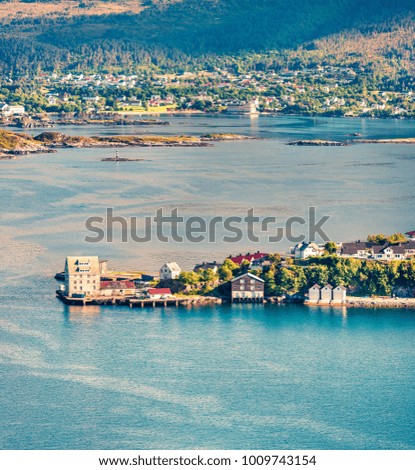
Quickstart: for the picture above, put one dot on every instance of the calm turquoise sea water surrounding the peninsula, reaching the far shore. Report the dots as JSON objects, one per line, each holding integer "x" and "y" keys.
{"x": 215, "y": 377}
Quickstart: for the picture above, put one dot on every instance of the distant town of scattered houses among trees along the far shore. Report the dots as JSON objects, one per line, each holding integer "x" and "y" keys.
{"x": 326, "y": 90}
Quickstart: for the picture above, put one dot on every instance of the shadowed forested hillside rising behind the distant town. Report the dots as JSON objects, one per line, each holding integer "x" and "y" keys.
{"x": 105, "y": 34}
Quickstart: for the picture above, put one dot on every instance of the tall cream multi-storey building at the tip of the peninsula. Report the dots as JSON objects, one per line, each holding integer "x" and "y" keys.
{"x": 82, "y": 275}
